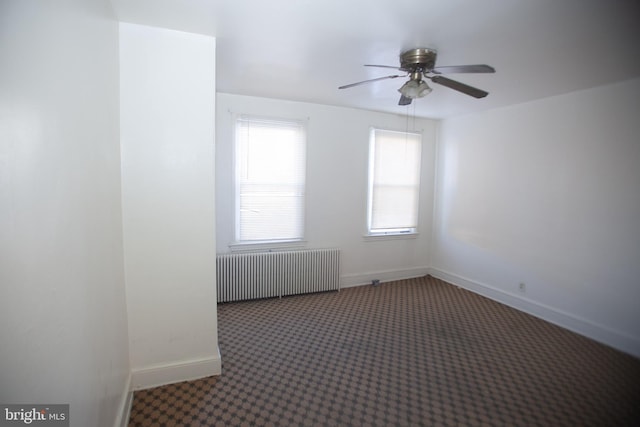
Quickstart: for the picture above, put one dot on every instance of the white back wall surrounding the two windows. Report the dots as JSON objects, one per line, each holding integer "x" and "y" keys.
{"x": 337, "y": 155}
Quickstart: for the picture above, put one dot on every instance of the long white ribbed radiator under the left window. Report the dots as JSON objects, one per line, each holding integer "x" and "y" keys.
{"x": 248, "y": 276}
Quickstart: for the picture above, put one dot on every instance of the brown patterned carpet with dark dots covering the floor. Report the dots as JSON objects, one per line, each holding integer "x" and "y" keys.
{"x": 406, "y": 353}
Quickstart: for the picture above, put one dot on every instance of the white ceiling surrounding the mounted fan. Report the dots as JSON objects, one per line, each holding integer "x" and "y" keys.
{"x": 303, "y": 50}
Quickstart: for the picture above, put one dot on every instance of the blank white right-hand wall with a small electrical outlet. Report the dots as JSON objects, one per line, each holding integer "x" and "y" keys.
{"x": 547, "y": 193}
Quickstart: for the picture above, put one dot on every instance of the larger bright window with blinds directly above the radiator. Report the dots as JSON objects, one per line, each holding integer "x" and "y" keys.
{"x": 270, "y": 179}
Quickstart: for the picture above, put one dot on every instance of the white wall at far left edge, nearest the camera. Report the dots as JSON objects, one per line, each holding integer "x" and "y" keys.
{"x": 63, "y": 320}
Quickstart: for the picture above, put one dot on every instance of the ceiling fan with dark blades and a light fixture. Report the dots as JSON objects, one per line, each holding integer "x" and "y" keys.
{"x": 420, "y": 63}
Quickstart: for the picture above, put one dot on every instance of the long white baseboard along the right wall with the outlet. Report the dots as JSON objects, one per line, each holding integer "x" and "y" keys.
{"x": 602, "y": 334}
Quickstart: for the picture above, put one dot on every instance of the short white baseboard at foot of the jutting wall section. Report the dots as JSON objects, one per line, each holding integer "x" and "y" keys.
{"x": 170, "y": 373}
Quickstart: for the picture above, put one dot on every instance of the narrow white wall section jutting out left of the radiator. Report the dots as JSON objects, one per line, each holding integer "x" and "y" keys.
{"x": 167, "y": 94}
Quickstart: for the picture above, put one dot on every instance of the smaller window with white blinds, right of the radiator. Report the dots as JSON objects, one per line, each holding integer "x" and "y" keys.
{"x": 394, "y": 182}
